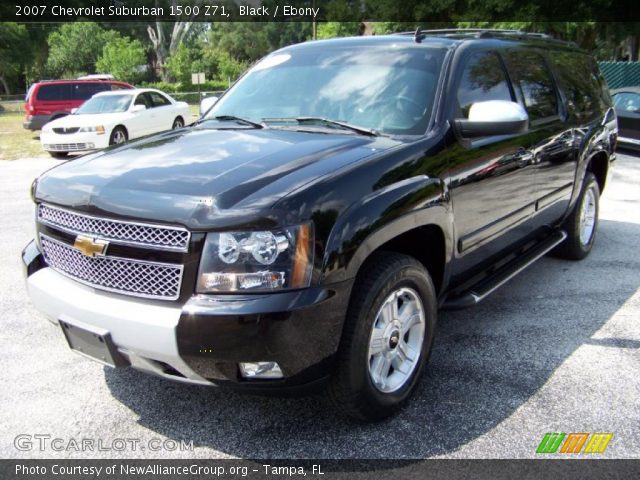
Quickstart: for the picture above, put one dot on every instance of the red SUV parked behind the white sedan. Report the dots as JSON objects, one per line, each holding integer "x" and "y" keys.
{"x": 50, "y": 99}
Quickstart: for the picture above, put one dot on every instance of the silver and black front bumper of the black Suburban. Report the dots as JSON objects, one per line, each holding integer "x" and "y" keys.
{"x": 203, "y": 340}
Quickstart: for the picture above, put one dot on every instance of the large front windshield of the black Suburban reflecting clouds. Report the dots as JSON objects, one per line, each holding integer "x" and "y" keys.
{"x": 386, "y": 88}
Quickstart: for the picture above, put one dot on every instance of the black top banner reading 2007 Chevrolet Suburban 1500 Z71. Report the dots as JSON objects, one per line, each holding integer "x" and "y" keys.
{"x": 428, "y": 12}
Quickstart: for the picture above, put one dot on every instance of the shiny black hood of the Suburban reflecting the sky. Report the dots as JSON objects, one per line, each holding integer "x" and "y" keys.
{"x": 198, "y": 176}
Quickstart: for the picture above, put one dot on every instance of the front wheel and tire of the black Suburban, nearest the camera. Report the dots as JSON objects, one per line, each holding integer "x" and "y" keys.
{"x": 370, "y": 343}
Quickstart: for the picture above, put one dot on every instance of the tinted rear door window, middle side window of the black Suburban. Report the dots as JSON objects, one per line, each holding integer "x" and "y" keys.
{"x": 535, "y": 82}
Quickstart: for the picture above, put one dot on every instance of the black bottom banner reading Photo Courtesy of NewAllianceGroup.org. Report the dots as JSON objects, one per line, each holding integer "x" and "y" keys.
{"x": 318, "y": 469}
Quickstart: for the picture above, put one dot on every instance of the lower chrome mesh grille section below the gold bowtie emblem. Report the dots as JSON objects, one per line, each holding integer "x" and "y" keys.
{"x": 121, "y": 275}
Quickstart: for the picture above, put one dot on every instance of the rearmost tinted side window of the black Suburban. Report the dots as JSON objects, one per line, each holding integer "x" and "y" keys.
{"x": 578, "y": 81}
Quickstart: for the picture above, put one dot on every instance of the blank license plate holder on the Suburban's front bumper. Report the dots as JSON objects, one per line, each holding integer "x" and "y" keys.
{"x": 94, "y": 343}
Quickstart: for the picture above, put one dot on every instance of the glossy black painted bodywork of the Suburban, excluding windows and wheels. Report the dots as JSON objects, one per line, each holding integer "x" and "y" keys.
{"x": 484, "y": 196}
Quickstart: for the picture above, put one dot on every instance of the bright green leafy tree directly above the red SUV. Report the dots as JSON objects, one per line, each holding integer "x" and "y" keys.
{"x": 75, "y": 47}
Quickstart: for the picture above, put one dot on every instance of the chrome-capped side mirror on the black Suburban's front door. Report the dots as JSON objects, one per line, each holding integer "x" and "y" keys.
{"x": 493, "y": 117}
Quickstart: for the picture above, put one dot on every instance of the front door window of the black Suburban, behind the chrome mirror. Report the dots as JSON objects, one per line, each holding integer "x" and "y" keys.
{"x": 483, "y": 79}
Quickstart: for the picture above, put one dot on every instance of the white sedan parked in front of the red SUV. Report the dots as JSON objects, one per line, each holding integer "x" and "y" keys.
{"x": 110, "y": 118}
